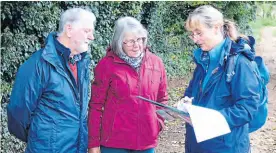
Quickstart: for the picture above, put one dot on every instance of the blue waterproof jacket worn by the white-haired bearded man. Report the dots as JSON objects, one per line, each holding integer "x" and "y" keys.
{"x": 47, "y": 110}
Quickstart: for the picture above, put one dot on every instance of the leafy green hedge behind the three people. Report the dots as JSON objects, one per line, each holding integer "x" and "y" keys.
{"x": 25, "y": 25}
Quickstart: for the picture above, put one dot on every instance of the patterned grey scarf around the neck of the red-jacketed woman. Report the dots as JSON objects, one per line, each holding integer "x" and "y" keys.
{"x": 135, "y": 62}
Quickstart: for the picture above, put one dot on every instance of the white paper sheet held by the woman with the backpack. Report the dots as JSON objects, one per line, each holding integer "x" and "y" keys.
{"x": 207, "y": 123}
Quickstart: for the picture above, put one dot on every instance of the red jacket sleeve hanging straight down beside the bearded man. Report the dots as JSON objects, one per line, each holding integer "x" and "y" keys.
{"x": 99, "y": 91}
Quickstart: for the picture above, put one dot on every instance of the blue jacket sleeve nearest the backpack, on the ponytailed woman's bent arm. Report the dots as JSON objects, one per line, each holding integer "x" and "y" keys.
{"x": 245, "y": 91}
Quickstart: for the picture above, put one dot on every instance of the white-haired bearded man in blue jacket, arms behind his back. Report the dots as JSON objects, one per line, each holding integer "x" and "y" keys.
{"x": 49, "y": 100}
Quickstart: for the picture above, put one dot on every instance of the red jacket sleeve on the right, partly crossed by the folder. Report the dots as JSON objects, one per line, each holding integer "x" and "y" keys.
{"x": 162, "y": 96}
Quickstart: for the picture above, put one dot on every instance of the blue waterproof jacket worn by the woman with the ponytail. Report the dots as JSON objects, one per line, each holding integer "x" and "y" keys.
{"x": 237, "y": 100}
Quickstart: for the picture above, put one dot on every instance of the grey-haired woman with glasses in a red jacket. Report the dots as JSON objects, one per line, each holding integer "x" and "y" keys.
{"x": 119, "y": 122}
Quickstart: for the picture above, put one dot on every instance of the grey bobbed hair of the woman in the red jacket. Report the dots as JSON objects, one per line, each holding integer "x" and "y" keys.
{"x": 124, "y": 25}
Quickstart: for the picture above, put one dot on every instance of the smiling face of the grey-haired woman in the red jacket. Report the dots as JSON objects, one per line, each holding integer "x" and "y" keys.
{"x": 133, "y": 44}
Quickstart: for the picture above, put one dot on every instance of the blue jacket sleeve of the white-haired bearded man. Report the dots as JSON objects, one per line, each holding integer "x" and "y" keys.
{"x": 25, "y": 95}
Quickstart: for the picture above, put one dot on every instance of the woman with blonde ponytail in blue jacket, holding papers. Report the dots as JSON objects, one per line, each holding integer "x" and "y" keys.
{"x": 236, "y": 100}
